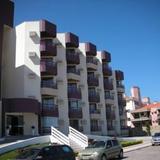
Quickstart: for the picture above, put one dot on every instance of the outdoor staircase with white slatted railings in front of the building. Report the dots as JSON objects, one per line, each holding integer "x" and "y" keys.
{"x": 75, "y": 139}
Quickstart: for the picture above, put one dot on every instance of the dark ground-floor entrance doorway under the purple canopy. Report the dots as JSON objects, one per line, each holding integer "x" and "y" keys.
{"x": 14, "y": 125}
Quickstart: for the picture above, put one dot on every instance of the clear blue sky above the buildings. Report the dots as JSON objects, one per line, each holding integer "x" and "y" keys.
{"x": 128, "y": 29}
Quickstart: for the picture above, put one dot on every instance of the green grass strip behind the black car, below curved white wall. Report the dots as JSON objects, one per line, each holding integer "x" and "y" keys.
{"x": 13, "y": 154}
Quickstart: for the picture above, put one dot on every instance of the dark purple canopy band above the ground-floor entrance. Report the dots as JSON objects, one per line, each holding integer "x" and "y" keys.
{"x": 24, "y": 105}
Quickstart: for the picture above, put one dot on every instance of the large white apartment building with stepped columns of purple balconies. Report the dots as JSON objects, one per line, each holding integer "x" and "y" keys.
{"x": 51, "y": 79}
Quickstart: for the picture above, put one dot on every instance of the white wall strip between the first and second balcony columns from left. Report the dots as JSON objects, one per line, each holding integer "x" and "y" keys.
{"x": 62, "y": 86}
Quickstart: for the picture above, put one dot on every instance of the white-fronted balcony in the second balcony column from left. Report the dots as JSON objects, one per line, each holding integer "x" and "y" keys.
{"x": 73, "y": 74}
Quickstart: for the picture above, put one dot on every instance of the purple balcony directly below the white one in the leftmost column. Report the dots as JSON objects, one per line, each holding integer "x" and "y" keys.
{"x": 50, "y": 110}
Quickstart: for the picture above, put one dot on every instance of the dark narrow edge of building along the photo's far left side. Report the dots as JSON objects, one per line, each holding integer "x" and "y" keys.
{"x": 6, "y": 25}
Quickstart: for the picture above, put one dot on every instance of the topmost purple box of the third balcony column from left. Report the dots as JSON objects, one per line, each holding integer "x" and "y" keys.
{"x": 90, "y": 49}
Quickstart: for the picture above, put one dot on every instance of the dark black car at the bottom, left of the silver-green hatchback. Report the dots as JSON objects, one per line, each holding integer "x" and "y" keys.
{"x": 52, "y": 152}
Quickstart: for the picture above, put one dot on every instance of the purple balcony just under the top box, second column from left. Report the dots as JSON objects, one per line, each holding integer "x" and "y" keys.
{"x": 73, "y": 58}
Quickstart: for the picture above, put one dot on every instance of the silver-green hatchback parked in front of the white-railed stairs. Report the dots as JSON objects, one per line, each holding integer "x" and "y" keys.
{"x": 102, "y": 150}
